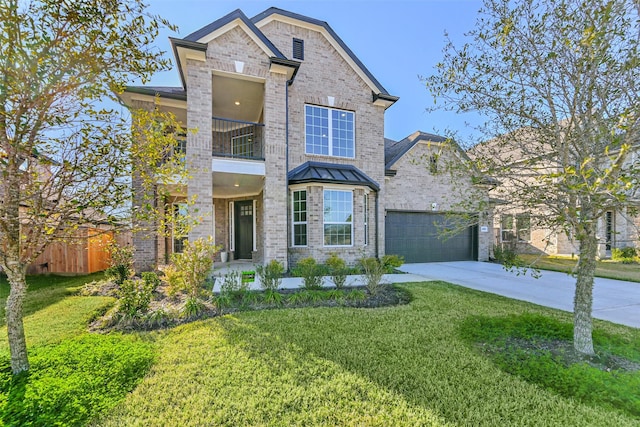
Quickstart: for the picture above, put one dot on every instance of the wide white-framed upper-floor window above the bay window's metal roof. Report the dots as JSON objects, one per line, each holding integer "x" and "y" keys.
{"x": 329, "y": 132}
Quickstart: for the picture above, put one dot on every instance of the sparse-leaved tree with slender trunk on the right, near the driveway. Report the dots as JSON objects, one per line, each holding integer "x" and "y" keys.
{"x": 558, "y": 81}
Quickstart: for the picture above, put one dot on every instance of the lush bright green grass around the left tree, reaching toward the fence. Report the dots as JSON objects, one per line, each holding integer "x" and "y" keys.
{"x": 74, "y": 375}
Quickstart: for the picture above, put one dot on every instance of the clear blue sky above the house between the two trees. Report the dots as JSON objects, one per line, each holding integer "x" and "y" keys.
{"x": 397, "y": 40}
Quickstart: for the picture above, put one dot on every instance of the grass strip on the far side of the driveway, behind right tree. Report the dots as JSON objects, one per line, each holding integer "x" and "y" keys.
{"x": 607, "y": 269}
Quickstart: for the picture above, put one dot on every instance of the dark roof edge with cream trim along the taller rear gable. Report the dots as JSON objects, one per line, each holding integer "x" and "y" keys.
{"x": 379, "y": 91}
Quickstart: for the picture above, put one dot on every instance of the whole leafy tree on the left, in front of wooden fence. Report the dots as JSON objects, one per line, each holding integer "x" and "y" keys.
{"x": 66, "y": 161}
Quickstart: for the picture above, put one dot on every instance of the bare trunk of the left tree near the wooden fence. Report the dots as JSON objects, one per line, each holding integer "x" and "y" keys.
{"x": 15, "y": 326}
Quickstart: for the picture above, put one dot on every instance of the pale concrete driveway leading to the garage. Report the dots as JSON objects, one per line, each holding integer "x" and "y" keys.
{"x": 613, "y": 300}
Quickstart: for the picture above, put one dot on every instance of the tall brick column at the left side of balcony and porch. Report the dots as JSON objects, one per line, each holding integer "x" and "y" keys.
{"x": 198, "y": 156}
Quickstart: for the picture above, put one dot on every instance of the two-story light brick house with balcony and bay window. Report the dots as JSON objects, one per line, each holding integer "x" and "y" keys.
{"x": 288, "y": 157}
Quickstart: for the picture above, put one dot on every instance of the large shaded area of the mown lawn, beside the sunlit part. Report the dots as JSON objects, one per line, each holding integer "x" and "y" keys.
{"x": 409, "y": 352}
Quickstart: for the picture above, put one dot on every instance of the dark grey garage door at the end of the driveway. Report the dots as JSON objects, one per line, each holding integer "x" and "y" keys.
{"x": 414, "y": 235}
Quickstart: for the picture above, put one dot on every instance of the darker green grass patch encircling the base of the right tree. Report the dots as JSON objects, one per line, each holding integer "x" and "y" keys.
{"x": 545, "y": 362}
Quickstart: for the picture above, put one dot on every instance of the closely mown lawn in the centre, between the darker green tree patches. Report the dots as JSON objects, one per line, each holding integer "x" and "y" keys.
{"x": 404, "y": 365}
